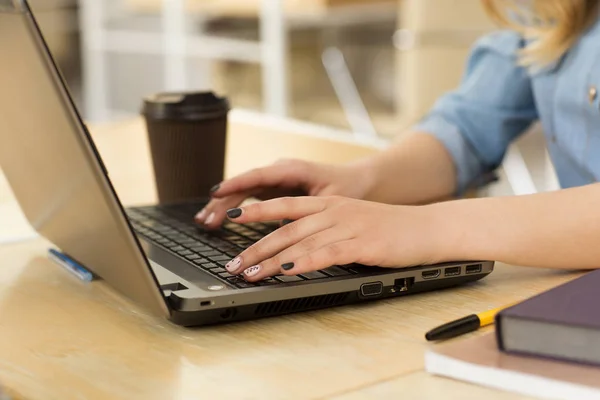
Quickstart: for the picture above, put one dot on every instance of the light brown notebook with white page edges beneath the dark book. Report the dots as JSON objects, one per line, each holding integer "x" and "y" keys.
{"x": 478, "y": 360}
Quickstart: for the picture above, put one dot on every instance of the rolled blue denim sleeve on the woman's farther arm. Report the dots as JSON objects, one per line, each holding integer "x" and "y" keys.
{"x": 493, "y": 105}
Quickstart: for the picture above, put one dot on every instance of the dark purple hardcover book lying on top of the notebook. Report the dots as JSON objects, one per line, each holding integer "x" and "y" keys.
{"x": 562, "y": 323}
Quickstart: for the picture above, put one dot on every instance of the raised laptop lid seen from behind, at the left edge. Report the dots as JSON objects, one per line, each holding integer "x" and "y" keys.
{"x": 53, "y": 168}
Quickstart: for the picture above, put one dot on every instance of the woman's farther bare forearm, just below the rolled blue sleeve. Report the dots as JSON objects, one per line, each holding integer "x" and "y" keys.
{"x": 415, "y": 170}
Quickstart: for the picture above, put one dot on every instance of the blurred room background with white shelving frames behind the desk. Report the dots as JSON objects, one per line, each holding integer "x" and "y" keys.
{"x": 367, "y": 66}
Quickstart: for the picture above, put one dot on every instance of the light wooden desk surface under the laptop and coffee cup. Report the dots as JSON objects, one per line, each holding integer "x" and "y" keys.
{"x": 63, "y": 339}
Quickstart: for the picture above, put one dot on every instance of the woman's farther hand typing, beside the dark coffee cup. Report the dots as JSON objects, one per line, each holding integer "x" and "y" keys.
{"x": 286, "y": 178}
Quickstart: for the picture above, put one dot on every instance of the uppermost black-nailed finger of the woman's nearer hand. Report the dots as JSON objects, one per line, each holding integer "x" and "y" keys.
{"x": 278, "y": 209}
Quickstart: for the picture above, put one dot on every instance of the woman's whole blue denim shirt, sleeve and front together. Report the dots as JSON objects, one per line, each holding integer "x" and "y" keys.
{"x": 498, "y": 100}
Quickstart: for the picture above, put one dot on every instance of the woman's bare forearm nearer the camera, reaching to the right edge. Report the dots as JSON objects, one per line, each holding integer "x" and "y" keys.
{"x": 556, "y": 230}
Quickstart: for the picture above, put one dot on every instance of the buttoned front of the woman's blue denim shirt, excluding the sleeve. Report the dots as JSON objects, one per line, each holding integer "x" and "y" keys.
{"x": 567, "y": 97}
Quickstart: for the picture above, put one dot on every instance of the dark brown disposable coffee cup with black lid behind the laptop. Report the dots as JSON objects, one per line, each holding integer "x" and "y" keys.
{"x": 187, "y": 134}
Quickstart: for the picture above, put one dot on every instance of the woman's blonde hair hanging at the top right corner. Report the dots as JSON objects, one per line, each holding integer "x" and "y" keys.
{"x": 550, "y": 26}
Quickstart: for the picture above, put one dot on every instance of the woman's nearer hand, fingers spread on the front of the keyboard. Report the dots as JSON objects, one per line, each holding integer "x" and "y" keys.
{"x": 335, "y": 231}
